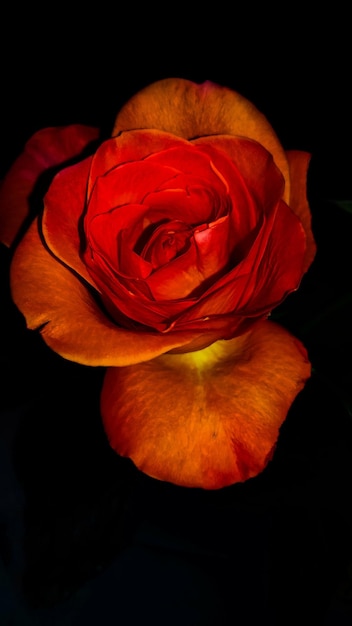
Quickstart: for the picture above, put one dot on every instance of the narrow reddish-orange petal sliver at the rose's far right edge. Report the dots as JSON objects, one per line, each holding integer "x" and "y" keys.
{"x": 298, "y": 164}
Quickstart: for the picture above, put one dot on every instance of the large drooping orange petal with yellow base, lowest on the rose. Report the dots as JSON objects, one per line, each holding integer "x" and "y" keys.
{"x": 209, "y": 418}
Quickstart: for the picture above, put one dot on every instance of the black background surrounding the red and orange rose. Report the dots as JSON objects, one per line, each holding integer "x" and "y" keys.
{"x": 85, "y": 537}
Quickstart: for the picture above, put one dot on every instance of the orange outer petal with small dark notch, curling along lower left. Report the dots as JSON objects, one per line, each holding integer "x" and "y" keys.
{"x": 54, "y": 300}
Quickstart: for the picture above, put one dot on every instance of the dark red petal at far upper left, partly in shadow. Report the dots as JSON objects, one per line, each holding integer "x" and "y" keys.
{"x": 47, "y": 148}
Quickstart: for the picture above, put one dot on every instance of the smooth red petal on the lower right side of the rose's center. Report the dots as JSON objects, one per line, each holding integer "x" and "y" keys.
{"x": 272, "y": 269}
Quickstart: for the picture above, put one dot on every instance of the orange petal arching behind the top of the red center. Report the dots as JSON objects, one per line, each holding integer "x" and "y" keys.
{"x": 191, "y": 110}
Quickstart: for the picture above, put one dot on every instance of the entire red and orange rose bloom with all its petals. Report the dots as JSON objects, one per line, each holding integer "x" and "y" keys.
{"x": 160, "y": 257}
